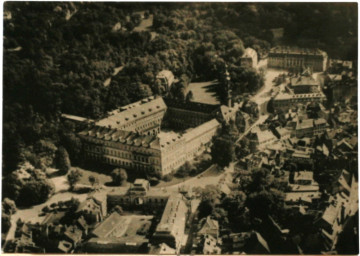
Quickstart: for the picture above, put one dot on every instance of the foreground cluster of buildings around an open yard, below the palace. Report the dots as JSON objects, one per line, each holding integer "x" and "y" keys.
{"x": 135, "y": 219}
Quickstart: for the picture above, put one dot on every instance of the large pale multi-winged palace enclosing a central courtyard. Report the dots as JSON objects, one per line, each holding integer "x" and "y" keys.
{"x": 131, "y": 138}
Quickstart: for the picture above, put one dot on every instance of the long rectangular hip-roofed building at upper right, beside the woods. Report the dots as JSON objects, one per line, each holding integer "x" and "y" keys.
{"x": 293, "y": 57}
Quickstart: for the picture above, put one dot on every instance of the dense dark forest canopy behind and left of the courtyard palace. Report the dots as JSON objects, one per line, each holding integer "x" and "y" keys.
{"x": 69, "y": 58}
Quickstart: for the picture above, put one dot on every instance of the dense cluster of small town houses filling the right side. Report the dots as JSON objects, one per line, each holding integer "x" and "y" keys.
{"x": 290, "y": 143}
